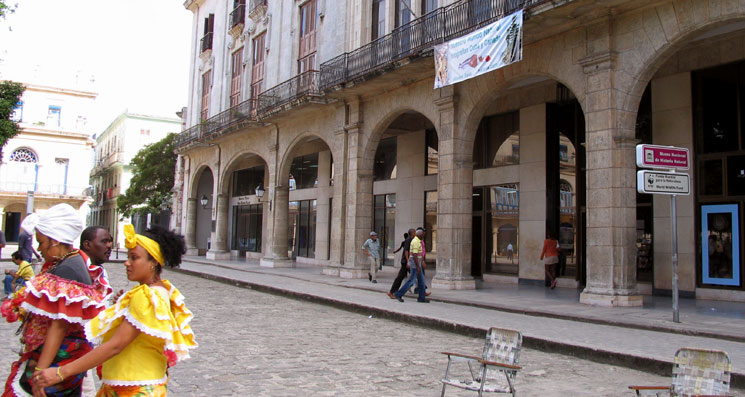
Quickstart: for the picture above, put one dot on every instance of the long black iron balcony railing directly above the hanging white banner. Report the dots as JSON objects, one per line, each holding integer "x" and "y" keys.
{"x": 417, "y": 38}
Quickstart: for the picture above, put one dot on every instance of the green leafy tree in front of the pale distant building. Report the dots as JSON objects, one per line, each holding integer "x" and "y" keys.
{"x": 152, "y": 179}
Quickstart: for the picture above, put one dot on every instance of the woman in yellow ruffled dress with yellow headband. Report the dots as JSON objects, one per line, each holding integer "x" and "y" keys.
{"x": 145, "y": 332}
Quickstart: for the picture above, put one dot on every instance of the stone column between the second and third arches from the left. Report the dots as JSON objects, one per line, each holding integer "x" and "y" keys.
{"x": 277, "y": 255}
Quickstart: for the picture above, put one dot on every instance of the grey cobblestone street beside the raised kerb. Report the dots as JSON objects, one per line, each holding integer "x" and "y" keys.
{"x": 257, "y": 344}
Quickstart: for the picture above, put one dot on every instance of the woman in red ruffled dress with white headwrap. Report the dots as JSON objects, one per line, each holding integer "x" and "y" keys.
{"x": 54, "y": 305}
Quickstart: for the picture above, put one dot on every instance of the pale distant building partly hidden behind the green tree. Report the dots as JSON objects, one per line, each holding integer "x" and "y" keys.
{"x": 111, "y": 172}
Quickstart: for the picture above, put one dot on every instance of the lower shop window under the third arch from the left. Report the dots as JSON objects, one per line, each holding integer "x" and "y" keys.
{"x": 302, "y": 229}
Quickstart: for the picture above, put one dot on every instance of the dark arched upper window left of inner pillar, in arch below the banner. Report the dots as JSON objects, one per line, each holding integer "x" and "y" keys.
{"x": 497, "y": 141}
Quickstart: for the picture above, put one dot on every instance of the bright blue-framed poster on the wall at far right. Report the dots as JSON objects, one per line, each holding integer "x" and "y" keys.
{"x": 720, "y": 244}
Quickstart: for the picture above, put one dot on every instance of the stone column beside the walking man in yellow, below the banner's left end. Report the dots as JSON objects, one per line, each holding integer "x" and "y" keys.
{"x": 454, "y": 200}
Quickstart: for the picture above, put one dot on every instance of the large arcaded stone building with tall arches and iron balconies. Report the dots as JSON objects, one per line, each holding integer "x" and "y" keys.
{"x": 310, "y": 124}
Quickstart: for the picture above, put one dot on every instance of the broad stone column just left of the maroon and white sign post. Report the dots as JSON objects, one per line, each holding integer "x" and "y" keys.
{"x": 611, "y": 188}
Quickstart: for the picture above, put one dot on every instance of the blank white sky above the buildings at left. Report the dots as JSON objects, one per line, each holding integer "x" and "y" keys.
{"x": 135, "y": 52}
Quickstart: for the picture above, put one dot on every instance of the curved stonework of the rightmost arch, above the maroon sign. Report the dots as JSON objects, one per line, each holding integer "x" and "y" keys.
{"x": 658, "y": 54}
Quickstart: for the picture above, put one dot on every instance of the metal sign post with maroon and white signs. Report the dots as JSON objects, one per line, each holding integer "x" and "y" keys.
{"x": 654, "y": 182}
